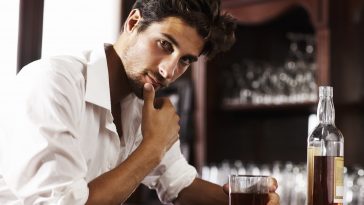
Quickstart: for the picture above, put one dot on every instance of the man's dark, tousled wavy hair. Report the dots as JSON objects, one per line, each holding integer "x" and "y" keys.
{"x": 204, "y": 15}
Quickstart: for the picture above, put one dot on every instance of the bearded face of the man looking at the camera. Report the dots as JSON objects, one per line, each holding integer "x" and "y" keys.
{"x": 161, "y": 53}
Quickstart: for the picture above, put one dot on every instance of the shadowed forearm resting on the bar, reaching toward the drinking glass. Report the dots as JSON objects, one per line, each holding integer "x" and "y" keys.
{"x": 201, "y": 192}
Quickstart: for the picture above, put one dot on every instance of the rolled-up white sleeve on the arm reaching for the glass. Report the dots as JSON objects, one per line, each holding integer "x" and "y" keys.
{"x": 171, "y": 176}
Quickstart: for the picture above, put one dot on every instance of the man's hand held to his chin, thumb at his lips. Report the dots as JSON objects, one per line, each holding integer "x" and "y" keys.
{"x": 159, "y": 125}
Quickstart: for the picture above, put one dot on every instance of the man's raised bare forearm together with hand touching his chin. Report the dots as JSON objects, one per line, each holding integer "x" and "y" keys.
{"x": 160, "y": 131}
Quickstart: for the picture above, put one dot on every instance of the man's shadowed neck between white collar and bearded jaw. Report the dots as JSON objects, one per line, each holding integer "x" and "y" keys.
{"x": 118, "y": 80}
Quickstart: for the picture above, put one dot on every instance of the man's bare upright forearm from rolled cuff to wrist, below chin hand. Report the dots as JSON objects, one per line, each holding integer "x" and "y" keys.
{"x": 115, "y": 186}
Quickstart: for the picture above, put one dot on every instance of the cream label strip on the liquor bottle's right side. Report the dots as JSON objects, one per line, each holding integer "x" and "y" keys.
{"x": 339, "y": 180}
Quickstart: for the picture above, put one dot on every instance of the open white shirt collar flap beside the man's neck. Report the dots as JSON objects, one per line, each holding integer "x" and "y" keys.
{"x": 97, "y": 83}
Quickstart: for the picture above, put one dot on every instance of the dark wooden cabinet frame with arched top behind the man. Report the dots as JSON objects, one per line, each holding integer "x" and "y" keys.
{"x": 261, "y": 35}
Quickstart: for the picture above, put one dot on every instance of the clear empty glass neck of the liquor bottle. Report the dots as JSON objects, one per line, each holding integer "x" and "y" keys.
{"x": 326, "y": 110}
